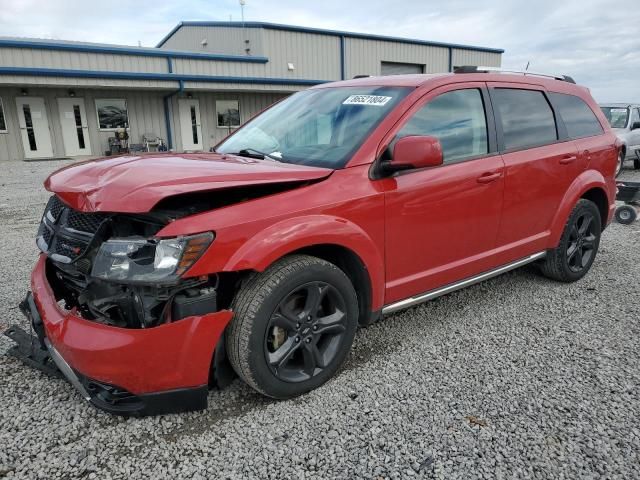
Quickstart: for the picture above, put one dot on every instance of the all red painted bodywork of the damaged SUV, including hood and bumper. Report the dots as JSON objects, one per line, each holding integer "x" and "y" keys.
{"x": 415, "y": 231}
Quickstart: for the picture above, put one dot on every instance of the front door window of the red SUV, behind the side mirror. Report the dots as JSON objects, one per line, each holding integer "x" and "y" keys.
{"x": 457, "y": 119}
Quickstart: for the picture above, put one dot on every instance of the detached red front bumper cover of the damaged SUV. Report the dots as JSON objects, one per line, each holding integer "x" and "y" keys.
{"x": 171, "y": 356}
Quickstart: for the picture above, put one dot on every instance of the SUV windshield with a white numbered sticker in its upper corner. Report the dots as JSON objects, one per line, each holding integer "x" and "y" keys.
{"x": 318, "y": 127}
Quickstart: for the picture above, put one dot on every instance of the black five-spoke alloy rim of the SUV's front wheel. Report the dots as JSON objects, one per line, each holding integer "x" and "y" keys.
{"x": 305, "y": 333}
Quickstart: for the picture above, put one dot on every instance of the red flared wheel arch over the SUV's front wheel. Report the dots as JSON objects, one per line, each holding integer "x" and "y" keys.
{"x": 292, "y": 234}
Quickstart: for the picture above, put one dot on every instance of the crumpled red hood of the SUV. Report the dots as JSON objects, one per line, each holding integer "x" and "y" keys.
{"x": 134, "y": 184}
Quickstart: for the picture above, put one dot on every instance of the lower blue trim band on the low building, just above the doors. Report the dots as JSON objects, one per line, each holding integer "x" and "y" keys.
{"x": 174, "y": 77}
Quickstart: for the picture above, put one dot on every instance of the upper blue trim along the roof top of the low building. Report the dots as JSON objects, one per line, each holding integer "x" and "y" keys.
{"x": 115, "y": 49}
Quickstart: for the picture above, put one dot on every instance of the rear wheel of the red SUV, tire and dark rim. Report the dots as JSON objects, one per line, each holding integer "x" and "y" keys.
{"x": 574, "y": 255}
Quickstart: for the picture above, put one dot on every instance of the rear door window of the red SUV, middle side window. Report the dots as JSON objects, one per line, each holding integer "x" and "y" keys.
{"x": 526, "y": 118}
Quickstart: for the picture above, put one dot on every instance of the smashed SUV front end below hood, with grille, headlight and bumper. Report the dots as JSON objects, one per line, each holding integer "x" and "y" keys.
{"x": 108, "y": 297}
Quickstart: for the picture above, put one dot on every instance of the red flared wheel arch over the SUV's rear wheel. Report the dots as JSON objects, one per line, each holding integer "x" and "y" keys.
{"x": 583, "y": 183}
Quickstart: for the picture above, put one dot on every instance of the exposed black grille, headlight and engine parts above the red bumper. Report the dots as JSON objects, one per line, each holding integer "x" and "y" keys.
{"x": 105, "y": 265}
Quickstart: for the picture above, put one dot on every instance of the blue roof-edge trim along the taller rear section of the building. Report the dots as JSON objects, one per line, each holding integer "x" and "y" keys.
{"x": 293, "y": 28}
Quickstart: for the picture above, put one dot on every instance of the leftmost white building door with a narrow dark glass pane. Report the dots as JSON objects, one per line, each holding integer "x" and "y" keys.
{"x": 34, "y": 127}
